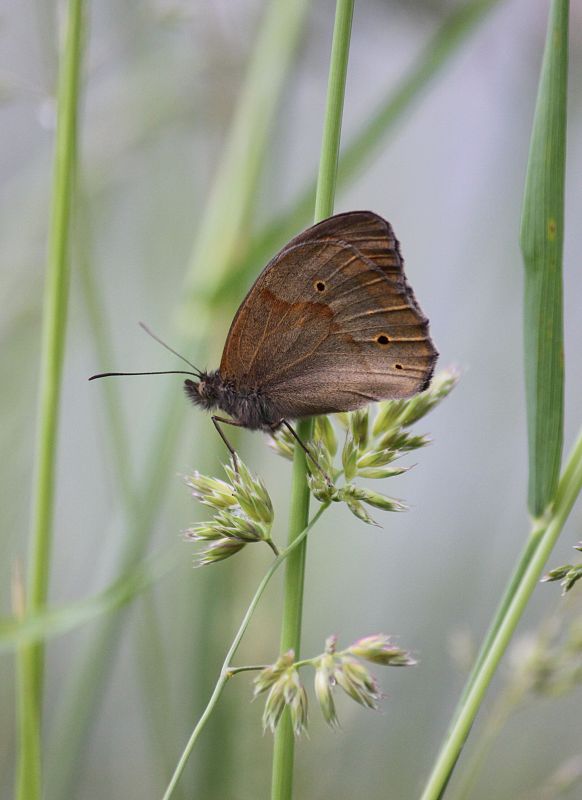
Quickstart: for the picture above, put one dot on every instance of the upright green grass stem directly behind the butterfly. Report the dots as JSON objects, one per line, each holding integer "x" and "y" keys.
{"x": 284, "y": 744}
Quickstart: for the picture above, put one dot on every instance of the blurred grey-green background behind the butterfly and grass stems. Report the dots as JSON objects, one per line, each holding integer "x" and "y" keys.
{"x": 162, "y": 82}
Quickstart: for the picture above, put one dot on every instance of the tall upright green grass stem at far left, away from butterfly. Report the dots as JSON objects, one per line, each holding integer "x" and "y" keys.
{"x": 31, "y": 657}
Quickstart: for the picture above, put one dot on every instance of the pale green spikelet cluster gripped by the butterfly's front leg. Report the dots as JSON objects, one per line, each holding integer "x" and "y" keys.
{"x": 243, "y": 513}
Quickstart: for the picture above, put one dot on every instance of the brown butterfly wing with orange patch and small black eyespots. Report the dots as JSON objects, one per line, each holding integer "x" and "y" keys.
{"x": 331, "y": 323}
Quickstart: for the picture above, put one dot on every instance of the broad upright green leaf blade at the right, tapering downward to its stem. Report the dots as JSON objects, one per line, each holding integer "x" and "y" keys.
{"x": 542, "y": 241}
